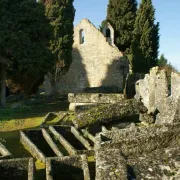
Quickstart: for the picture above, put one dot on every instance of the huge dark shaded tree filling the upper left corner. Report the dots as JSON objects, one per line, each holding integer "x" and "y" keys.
{"x": 24, "y": 38}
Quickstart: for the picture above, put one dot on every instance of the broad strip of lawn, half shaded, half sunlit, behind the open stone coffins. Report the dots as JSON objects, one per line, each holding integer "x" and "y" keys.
{"x": 28, "y": 116}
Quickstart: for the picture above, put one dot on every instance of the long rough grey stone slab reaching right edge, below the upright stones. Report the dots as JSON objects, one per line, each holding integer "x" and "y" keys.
{"x": 140, "y": 140}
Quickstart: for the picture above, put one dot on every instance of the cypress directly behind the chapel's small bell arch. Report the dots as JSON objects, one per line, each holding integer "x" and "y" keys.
{"x": 121, "y": 15}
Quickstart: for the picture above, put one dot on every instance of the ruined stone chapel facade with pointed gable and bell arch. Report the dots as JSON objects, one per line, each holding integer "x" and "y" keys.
{"x": 97, "y": 62}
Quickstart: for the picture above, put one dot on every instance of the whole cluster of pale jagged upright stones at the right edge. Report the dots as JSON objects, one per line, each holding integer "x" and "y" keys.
{"x": 153, "y": 91}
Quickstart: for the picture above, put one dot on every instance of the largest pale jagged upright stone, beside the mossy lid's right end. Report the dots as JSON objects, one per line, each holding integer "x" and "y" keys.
{"x": 153, "y": 90}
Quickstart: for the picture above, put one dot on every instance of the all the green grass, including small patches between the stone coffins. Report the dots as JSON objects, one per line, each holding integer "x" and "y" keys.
{"x": 26, "y": 117}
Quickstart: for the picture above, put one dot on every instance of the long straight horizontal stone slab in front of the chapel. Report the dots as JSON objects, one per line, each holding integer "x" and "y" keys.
{"x": 95, "y": 98}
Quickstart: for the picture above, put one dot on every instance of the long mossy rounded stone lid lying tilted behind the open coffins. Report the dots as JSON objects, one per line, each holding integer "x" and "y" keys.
{"x": 110, "y": 112}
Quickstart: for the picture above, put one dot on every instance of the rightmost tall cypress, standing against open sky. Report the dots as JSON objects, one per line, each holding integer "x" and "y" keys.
{"x": 145, "y": 38}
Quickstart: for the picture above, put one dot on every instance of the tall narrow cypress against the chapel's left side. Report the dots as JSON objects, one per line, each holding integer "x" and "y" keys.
{"x": 61, "y": 16}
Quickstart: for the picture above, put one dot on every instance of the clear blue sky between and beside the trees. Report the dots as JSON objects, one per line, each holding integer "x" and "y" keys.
{"x": 167, "y": 13}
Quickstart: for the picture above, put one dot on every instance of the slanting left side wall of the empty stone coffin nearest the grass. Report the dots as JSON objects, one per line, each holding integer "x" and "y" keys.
{"x": 32, "y": 148}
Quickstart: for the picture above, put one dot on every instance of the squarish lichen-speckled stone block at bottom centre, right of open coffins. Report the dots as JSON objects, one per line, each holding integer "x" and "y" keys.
{"x": 110, "y": 165}
